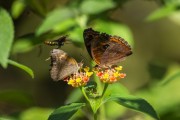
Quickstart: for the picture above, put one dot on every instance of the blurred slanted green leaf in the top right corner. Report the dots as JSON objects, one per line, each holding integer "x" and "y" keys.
{"x": 161, "y": 13}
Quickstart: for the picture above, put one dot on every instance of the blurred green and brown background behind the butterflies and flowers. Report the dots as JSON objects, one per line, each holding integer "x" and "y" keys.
{"x": 151, "y": 27}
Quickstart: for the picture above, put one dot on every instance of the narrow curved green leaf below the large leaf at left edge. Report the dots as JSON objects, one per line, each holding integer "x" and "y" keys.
{"x": 23, "y": 67}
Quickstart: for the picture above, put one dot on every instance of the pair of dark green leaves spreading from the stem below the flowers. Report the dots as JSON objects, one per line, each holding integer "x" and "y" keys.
{"x": 129, "y": 101}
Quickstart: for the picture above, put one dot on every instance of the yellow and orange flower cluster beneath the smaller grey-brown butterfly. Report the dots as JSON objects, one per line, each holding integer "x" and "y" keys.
{"x": 80, "y": 78}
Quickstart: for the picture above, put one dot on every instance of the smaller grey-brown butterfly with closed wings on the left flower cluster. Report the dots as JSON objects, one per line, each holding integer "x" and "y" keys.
{"x": 62, "y": 65}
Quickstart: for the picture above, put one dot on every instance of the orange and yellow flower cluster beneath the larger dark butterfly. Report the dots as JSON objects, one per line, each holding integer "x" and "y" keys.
{"x": 109, "y": 75}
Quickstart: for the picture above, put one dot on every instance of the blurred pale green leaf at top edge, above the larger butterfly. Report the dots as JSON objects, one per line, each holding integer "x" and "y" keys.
{"x": 96, "y": 6}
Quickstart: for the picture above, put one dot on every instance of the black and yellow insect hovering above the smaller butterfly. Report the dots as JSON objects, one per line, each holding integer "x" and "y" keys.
{"x": 59, "y": 42}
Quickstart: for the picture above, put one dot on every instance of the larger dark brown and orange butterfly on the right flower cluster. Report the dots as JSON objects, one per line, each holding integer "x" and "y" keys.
{"x": 106, "y": 50}
